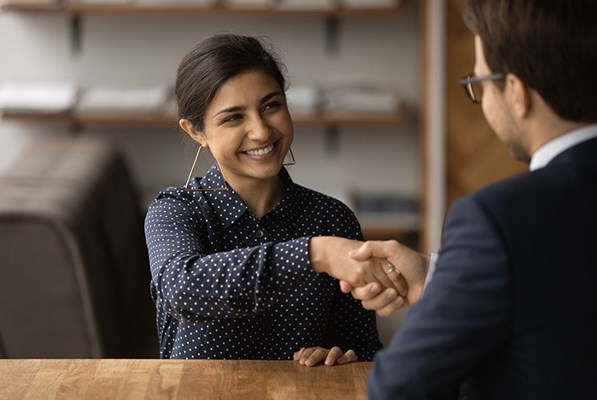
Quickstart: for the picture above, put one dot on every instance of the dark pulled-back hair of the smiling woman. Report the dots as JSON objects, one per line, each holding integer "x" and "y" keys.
{"x": 215, "y": 60}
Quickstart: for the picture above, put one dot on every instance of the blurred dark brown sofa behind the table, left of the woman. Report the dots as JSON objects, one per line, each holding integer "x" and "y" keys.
{"x": 74, "y": 274}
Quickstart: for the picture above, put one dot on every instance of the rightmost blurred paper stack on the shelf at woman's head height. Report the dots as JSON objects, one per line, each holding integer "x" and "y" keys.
{"x": 360, "y": 99}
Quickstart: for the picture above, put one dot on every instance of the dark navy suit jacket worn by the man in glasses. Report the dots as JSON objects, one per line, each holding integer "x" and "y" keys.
{"x": 511, "y": 312}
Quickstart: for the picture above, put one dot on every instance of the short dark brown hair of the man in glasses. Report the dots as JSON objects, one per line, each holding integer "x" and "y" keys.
{"x": 551, "y": 45}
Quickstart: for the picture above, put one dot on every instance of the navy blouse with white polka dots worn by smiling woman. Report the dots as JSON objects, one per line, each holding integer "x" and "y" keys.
{"x": 228, "y": 285}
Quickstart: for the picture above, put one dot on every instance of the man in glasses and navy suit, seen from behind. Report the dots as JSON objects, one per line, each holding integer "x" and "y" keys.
{"x": 511, "y": 309}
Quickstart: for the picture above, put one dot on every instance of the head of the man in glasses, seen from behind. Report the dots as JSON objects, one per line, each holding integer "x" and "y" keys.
{"x": 547, "y": 52}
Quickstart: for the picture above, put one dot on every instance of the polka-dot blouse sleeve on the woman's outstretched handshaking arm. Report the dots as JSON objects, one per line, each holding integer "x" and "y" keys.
{"x": 196, "y": 286}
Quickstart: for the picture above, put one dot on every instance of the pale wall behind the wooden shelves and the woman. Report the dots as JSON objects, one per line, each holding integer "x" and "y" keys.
{"x": 144, "y": 50}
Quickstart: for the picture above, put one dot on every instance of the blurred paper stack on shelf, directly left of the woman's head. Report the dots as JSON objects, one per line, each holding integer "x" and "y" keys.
{"x": 119, "y": 100}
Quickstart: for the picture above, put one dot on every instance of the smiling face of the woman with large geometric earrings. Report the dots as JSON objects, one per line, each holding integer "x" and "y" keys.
{"x": 248, "y": 128}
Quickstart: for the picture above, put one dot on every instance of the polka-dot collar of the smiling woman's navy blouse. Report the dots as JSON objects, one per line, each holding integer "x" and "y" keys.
{"x": 226, "y": 204}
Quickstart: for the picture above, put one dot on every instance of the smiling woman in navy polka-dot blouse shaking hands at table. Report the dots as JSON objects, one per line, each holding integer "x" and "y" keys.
{"x": 235, "y": 273}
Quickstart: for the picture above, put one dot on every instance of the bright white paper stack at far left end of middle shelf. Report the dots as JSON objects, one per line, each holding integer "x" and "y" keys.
{"x": 37, "y": 97}
